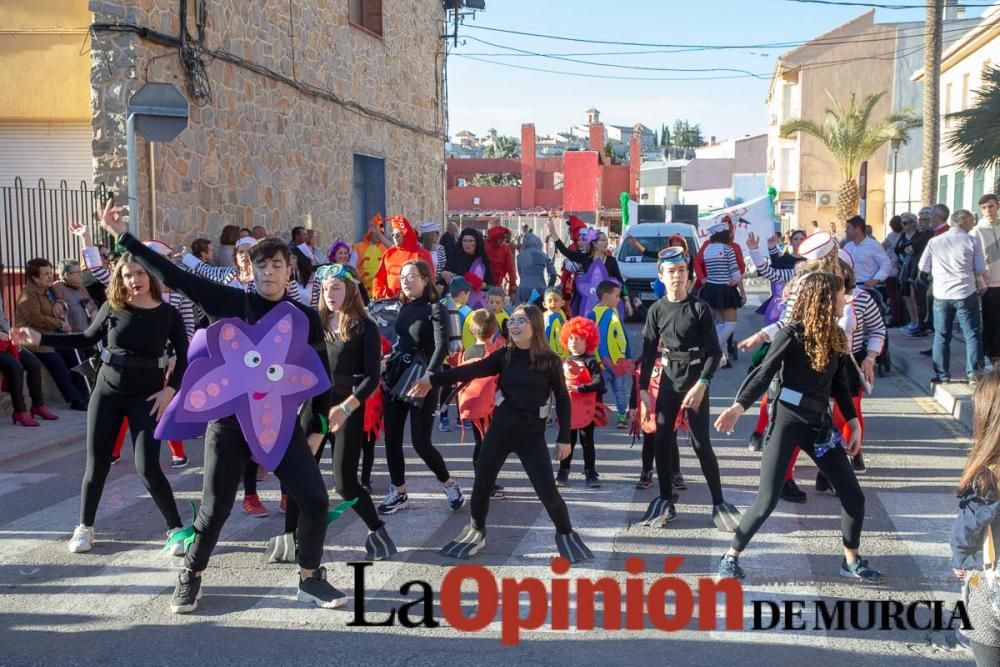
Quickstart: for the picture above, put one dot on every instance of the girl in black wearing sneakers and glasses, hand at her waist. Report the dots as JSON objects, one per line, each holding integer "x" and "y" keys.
{"x": 422, "y": 329}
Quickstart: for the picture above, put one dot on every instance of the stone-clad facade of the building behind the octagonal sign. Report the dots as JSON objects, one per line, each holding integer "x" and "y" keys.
{"x": 262, "y": 151}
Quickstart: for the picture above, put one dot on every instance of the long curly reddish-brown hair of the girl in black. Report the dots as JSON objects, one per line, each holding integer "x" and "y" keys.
{"x": 816, "y": 308}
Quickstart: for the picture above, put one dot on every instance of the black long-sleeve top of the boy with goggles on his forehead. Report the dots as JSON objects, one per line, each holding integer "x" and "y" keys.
{"x": 679, "y": 326}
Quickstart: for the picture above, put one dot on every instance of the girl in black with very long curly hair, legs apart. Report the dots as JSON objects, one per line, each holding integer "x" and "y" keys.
{"x": 809, "y": 357}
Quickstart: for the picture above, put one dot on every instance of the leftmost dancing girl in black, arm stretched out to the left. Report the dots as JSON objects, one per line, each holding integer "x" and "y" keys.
{"x": 137, "y": 325}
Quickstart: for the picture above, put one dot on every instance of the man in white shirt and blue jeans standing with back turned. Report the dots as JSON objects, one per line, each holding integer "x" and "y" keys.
{"x": 955, "y": 262}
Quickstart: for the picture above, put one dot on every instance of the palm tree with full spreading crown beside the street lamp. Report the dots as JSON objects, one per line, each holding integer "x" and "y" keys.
{"x": 851, "y": 137}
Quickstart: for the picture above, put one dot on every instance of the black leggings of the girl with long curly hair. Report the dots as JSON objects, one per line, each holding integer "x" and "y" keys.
{"x": 790, "y": 429}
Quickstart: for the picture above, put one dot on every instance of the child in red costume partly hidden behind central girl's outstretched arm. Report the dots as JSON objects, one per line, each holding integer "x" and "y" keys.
{"x": 477, "y": 398}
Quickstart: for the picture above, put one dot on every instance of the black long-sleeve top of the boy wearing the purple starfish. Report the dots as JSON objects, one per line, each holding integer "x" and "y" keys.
{"x": 220, "y": 301}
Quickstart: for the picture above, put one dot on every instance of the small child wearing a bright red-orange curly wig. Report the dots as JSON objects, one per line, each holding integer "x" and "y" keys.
{"x": 585, "y": 383}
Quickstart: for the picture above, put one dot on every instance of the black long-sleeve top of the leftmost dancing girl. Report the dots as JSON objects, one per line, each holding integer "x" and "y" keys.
{"x": 134, "y": 332}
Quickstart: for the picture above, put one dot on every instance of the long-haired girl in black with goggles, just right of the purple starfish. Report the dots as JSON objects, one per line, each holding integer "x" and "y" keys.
{"x": 353, "y": 349}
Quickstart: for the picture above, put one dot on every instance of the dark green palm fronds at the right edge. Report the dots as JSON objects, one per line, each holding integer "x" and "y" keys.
{"x": 976, "y": 137}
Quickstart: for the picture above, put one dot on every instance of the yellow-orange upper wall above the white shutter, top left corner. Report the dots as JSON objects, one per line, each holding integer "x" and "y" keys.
{"x": 43, "y": 76}
